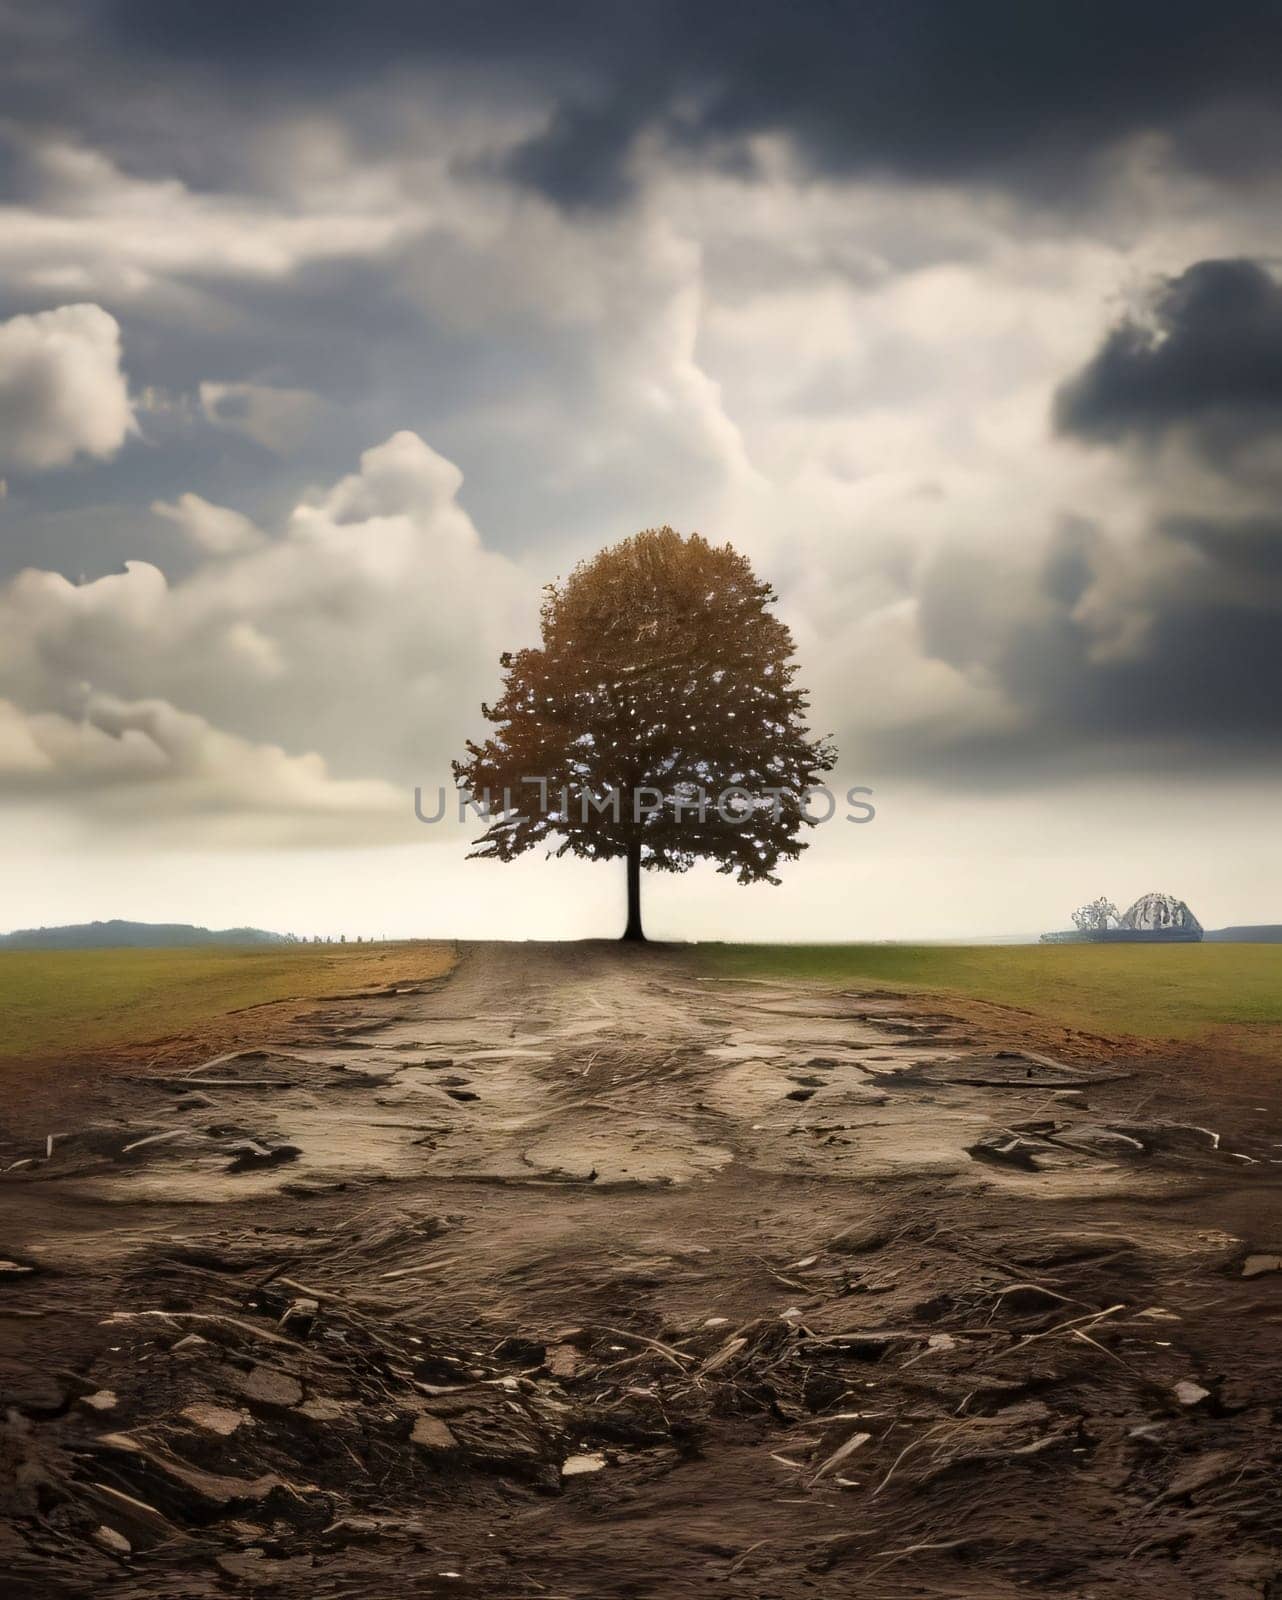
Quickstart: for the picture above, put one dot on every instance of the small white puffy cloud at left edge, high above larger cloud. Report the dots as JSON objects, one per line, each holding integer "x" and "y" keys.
{"x": 63, "y": 393}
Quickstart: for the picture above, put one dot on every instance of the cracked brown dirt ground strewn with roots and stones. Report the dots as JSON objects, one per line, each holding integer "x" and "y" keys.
{"x": 580, "y": 1274}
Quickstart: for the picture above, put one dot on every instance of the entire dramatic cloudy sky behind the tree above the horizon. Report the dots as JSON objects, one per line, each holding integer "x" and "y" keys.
{"x": 329, "y": 334}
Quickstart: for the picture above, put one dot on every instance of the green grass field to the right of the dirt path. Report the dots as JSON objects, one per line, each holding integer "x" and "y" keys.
{"x": 1176, "y": 991}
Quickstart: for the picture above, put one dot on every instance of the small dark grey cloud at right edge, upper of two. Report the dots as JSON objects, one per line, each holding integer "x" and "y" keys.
{"x": 1209, "y": 361}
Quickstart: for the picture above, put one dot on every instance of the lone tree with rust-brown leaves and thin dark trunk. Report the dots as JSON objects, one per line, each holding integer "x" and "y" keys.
{"x": 657, "y": 722}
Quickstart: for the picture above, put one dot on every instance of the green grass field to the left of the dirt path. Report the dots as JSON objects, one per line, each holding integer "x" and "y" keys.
{"x": 73, "y": 1002}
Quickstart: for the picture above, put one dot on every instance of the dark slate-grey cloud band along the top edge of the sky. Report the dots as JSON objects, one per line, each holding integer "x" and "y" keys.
{"x": 996, "y": 89}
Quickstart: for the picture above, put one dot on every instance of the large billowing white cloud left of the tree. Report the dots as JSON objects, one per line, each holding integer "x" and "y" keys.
{"x": 289, "y": 678}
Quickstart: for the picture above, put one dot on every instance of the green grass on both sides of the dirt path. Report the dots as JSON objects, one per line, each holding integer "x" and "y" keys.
{"x": 74, "y": 1002}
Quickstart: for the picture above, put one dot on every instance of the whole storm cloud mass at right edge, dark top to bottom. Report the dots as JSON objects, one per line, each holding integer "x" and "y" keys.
{"x": 1153, "y": 631}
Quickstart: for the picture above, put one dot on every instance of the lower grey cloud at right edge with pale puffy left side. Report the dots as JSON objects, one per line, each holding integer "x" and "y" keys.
{"x": 1182, "y": 668}
